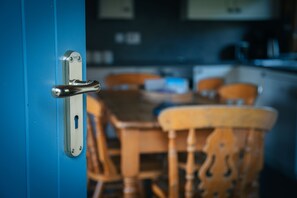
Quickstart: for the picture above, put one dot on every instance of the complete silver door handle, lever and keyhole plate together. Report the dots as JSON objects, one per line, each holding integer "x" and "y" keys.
{"x": 72, "y": 91}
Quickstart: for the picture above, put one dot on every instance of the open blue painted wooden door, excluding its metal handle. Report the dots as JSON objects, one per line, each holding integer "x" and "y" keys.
{"x": 34, "y": 37}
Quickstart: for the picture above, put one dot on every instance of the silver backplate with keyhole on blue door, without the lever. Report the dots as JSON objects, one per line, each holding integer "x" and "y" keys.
{"x": 72, "y": 65}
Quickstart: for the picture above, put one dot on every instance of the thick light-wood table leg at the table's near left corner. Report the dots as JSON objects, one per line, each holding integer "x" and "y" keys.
{"x": 130, "y": 161}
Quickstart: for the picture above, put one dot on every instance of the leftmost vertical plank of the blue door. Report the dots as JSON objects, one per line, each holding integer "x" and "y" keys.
{"x": 13, "y": 136}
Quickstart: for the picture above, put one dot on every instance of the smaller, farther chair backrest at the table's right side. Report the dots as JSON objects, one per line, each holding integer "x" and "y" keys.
{"x": 212, "y": 83}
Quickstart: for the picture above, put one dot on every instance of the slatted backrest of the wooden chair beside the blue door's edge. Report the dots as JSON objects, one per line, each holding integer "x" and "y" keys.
{"x": 99, "y": 161}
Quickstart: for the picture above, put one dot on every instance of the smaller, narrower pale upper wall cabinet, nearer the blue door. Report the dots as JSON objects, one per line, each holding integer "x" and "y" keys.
{"x": 115, "y": 9}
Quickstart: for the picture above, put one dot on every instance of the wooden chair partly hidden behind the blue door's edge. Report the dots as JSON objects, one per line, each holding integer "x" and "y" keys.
{"x": 102, "y": 168}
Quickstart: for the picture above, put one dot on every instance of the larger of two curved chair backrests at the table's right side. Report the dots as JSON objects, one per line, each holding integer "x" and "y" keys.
{"x": 238, "y": 93}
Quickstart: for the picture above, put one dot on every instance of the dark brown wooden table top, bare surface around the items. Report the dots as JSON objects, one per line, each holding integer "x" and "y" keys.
{"x": 133, "y": 109}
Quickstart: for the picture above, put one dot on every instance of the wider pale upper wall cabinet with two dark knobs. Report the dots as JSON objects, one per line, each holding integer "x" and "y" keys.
{"x": 230, "y": 9}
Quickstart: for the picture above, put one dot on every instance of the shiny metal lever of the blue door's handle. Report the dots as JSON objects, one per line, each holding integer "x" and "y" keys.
{"x": 75, "y": 87}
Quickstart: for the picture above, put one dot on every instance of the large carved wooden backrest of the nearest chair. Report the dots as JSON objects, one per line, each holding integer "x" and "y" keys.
{"x": 234, "y": 147}
